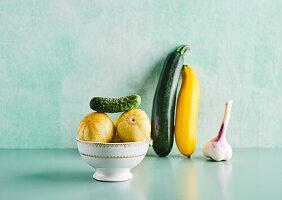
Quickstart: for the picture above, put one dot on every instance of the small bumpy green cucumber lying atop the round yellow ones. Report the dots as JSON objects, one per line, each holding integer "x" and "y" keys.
{"x": 115, "y": 105}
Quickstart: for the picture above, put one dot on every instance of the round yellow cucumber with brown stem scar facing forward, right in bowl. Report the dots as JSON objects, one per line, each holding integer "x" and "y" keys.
{"x": 134, "y": 125}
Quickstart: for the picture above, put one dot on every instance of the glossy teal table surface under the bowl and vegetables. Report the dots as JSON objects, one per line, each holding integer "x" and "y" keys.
{"x": 62, "y": 174}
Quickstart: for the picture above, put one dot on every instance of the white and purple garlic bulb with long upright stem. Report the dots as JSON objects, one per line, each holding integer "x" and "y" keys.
{"x": 218, "y": 149}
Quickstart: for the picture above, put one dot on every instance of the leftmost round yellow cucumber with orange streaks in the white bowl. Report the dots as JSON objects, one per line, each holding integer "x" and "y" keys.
{"x": 96, "y": 127}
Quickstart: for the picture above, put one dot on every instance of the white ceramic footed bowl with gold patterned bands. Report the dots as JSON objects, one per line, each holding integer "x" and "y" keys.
{"x": 113, "y": 161}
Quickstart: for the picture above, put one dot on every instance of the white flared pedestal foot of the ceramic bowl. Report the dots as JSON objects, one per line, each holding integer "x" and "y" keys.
{"x": 112, "y": 174}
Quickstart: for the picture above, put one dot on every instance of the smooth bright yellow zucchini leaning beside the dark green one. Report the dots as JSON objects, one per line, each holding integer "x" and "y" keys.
{"x": 187, "y": 112}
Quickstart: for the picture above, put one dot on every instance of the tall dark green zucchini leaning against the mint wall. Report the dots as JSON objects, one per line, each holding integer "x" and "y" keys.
{"x": 164, "y": 102}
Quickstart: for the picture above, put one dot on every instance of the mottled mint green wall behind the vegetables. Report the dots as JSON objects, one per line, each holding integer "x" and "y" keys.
{"x": 56, "y": 55}
